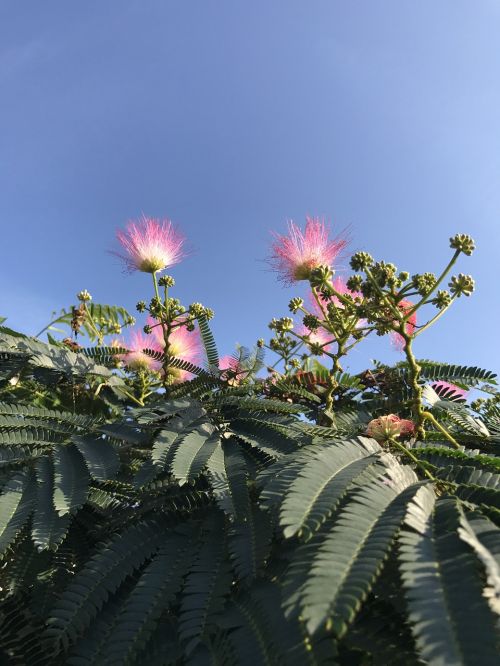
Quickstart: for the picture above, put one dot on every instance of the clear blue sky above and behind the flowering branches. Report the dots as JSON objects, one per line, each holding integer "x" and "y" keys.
{"x": 231, "y": 117}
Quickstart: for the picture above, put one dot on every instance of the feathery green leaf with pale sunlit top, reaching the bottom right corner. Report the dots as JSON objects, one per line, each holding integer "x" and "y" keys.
{"x": 450, "y": 618}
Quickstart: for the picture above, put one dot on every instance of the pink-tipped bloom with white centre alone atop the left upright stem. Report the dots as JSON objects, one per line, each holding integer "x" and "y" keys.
{"x": 150, "y": 245}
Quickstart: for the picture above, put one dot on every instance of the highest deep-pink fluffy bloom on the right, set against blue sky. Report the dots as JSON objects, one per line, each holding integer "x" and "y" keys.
{"x": 295, "y": 255}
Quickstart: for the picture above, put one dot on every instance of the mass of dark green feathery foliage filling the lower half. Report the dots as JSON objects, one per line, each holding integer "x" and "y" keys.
{"x": 221, "y": 524}
